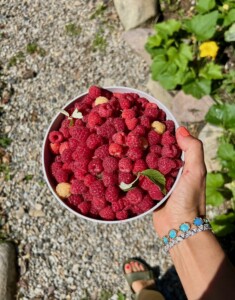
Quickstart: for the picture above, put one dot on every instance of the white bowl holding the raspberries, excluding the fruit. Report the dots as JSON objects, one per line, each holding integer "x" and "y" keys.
{"x": 55, "y": 125}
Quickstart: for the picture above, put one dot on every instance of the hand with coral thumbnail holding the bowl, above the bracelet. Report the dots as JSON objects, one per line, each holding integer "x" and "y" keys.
{"x": 188, "y": 198}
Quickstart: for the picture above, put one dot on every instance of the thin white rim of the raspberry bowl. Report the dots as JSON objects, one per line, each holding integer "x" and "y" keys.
{"x": 112, "y": 89}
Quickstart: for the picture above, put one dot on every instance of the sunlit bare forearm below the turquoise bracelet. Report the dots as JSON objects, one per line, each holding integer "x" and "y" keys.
{"x": 203, "y": 268}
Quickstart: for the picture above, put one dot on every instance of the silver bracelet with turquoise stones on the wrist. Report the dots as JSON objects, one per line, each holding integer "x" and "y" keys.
{"x": 201, "y": 224}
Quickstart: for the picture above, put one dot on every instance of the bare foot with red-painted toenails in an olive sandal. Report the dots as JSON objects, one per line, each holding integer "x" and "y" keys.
{"x": 138, "y": 285}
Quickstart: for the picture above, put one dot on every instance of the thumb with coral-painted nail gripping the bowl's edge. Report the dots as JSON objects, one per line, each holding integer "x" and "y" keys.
{"x": 193, "y": 150}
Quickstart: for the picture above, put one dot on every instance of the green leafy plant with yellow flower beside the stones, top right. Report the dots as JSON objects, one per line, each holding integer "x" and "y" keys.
{"x": 189, "y": 53}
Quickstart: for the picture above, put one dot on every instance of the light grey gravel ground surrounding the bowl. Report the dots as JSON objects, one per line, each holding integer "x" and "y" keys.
{"x": 61, "y": 256}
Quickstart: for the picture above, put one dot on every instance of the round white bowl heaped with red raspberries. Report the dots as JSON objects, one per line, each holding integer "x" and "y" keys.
{"x": 110, "y": 155}
